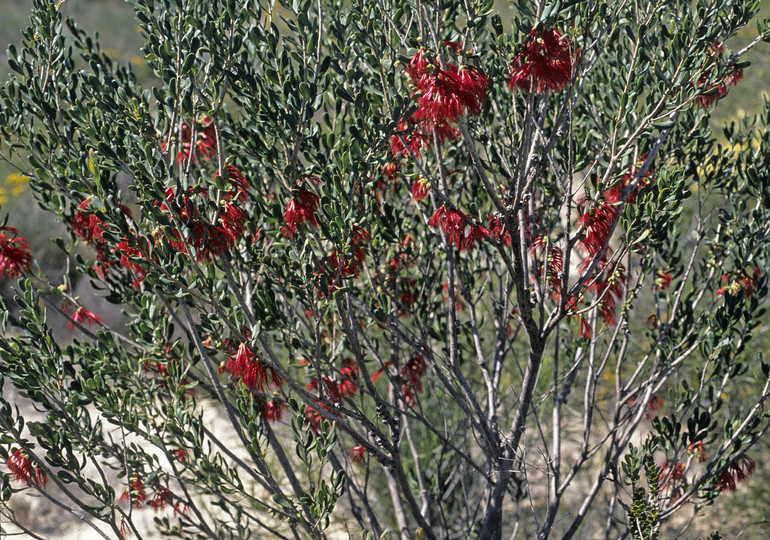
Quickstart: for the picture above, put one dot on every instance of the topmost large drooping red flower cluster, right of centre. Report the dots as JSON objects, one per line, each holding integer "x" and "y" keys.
{"x": 545, "y": 63}
